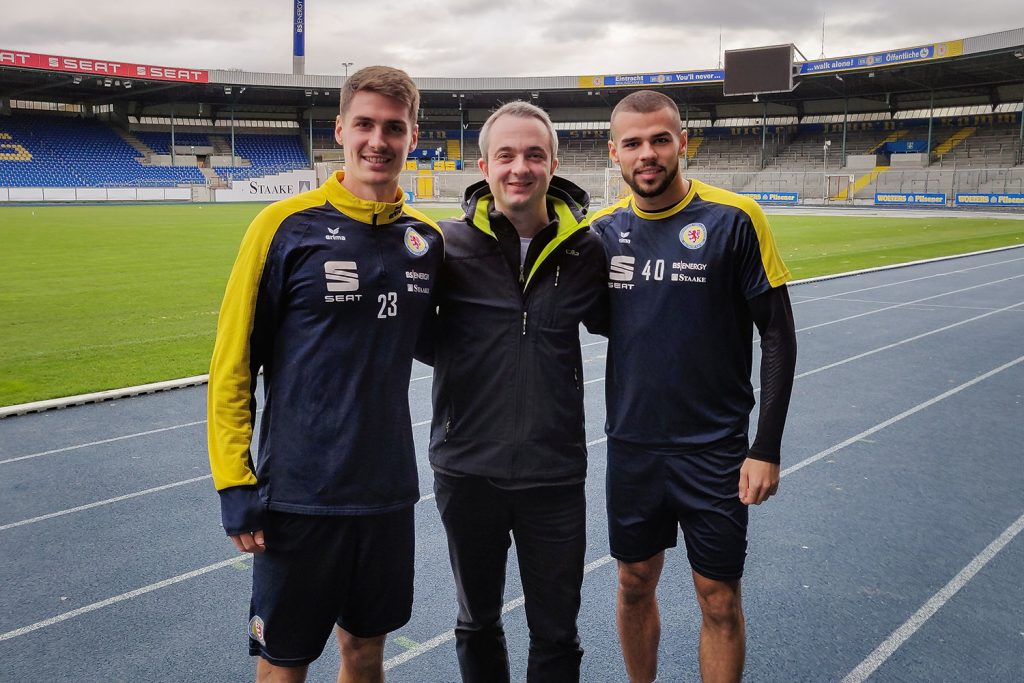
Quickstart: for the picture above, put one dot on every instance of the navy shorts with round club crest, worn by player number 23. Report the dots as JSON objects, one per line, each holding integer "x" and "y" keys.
{"x": 356, "y": 572}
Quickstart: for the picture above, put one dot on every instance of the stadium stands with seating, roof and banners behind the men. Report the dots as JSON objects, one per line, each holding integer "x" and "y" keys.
{"x": 945, "y": 119}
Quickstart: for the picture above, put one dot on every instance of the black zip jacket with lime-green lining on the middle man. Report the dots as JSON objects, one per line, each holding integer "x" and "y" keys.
{"x": 508, "y": 373}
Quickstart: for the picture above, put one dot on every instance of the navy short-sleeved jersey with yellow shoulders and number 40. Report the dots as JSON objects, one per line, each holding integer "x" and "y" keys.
{"x": 681, "y": 334}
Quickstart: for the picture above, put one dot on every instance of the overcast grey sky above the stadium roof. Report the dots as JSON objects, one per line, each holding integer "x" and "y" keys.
{"x": 439, "y": 38}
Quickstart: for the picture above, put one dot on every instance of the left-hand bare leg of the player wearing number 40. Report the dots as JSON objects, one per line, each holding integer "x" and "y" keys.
{"x": 638, "y": 618}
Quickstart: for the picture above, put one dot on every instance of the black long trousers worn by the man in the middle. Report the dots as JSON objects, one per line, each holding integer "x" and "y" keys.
{"x": 549, "y": 527}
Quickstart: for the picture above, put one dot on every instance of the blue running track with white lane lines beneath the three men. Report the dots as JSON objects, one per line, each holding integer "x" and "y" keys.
{"x": 893, "y": 551}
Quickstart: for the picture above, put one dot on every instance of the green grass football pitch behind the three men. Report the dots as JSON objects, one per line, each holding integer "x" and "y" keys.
{"x": 95, "y": 298}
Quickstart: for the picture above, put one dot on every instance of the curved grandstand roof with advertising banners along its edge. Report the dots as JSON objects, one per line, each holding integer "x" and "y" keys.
{"x": 985, "y": 70}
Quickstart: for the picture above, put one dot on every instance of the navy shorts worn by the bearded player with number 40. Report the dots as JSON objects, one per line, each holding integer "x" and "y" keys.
{"x": 650, "y": 494}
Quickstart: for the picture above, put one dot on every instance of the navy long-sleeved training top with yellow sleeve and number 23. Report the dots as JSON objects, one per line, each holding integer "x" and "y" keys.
{"x": 328, "y": 295}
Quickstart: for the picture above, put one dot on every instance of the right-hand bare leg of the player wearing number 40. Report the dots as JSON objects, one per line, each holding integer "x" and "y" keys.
{"x": 723, "y": 631}
